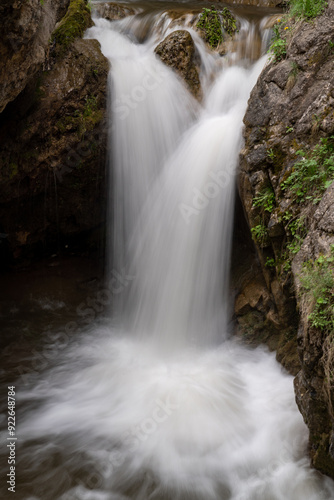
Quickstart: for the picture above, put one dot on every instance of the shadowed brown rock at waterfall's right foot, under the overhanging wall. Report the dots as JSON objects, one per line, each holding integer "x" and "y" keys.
{"x": 256, "y": 310}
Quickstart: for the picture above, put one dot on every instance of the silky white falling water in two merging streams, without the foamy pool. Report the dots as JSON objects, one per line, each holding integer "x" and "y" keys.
{"x": 173, "y": 181}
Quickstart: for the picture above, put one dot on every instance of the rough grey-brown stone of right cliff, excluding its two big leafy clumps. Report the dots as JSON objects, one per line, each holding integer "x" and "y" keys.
{"x": 291, "y": 108}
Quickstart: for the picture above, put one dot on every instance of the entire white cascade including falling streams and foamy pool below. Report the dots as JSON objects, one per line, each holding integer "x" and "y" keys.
{"x": 164, "y": 405}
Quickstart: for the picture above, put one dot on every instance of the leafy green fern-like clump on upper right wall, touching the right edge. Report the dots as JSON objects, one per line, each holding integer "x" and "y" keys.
{"x": 313, "y": 173}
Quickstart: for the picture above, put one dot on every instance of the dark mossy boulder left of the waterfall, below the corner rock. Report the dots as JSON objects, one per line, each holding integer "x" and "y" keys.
{"x": 53, "y": 137}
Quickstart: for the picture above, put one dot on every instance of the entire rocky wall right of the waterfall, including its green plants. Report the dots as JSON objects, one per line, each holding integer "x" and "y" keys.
{"x": 288, "y": 200}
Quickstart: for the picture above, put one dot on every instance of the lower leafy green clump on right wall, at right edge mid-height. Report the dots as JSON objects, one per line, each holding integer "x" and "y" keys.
{"x": 317, "y": 283}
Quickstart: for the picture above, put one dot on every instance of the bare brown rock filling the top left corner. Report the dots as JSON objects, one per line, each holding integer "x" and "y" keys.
{"x": 26, "y": 26}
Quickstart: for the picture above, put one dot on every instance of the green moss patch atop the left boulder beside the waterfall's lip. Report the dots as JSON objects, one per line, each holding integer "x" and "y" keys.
{"x": 72, "y": 26}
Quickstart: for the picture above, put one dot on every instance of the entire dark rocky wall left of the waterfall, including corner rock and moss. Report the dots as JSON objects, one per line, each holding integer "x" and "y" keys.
{"x": 52, "y": 130}
